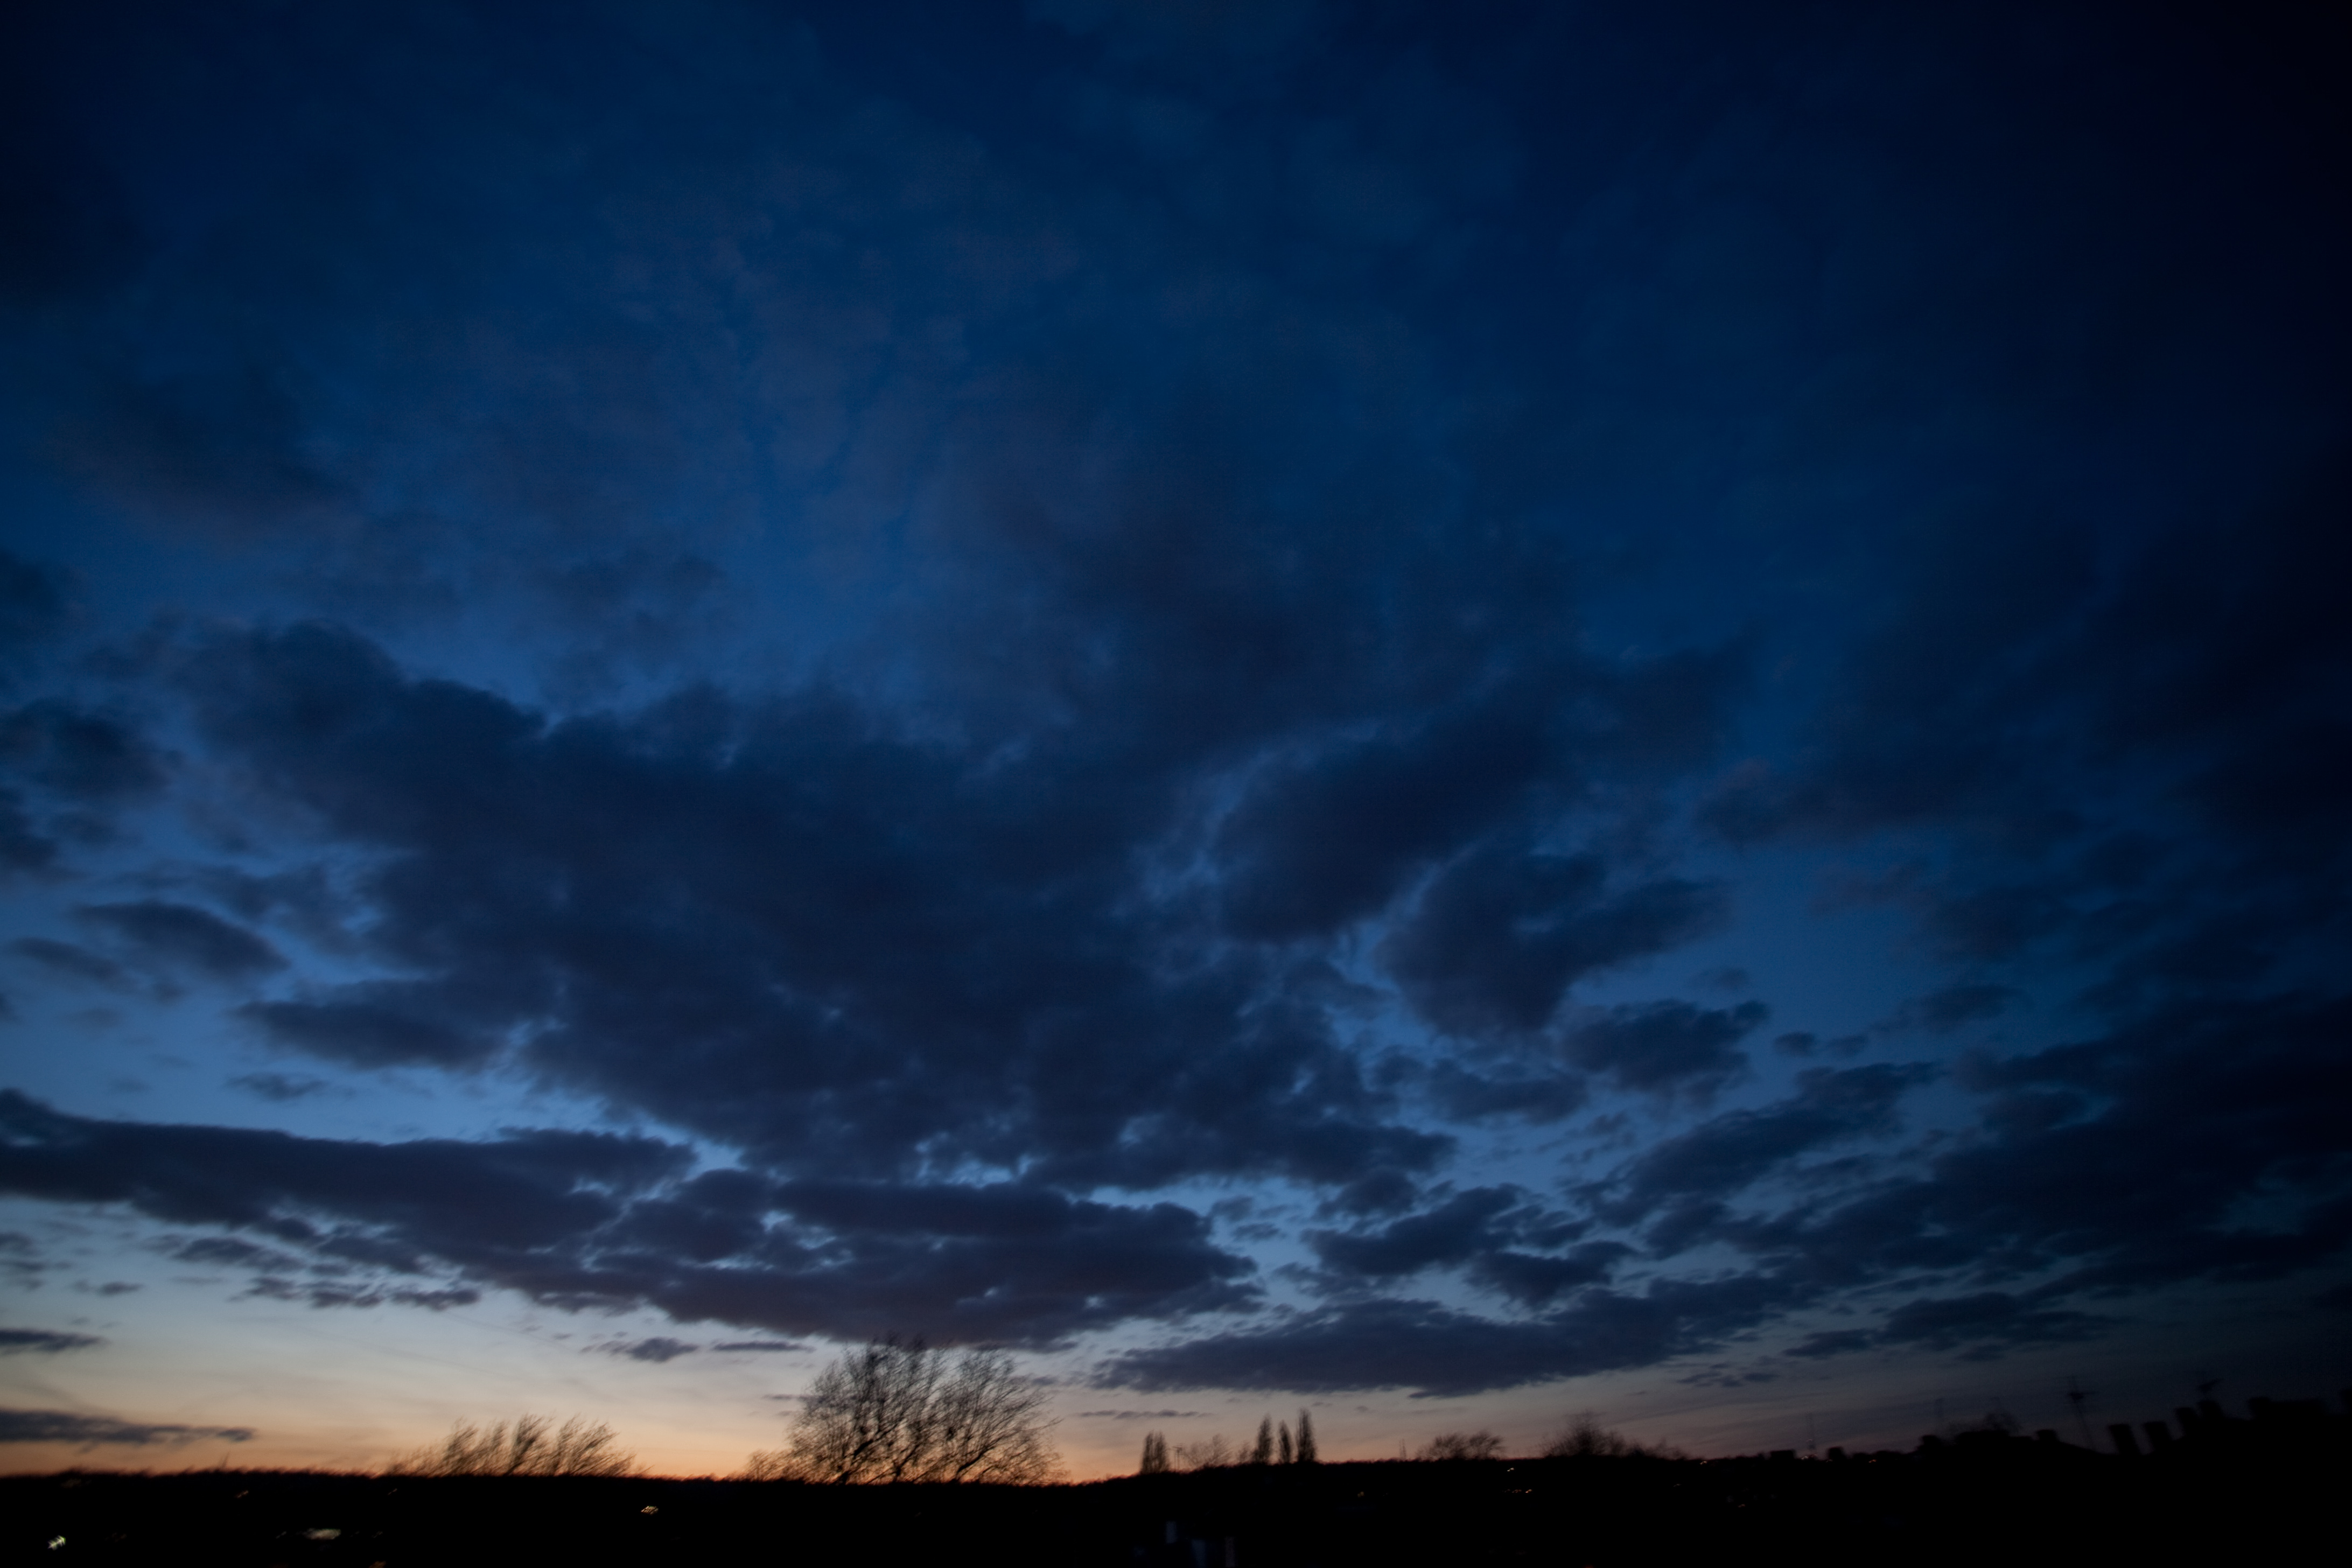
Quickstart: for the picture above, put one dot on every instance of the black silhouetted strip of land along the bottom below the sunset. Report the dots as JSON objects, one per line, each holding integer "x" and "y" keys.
{"x": 1996, "y": 1501}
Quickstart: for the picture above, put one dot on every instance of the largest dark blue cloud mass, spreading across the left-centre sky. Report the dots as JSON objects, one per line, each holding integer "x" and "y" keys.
{"x": 933, "y": 967}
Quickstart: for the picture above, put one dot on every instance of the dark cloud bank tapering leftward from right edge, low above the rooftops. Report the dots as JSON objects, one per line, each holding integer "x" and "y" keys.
{"x": 2120, "y": 1162}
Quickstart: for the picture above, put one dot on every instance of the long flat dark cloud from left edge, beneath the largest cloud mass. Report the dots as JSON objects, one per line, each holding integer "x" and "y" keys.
{"x": 610, "y": 1221}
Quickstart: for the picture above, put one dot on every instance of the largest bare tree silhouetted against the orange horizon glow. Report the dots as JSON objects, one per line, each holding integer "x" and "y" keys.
{"x": 902, "y": 1412}
